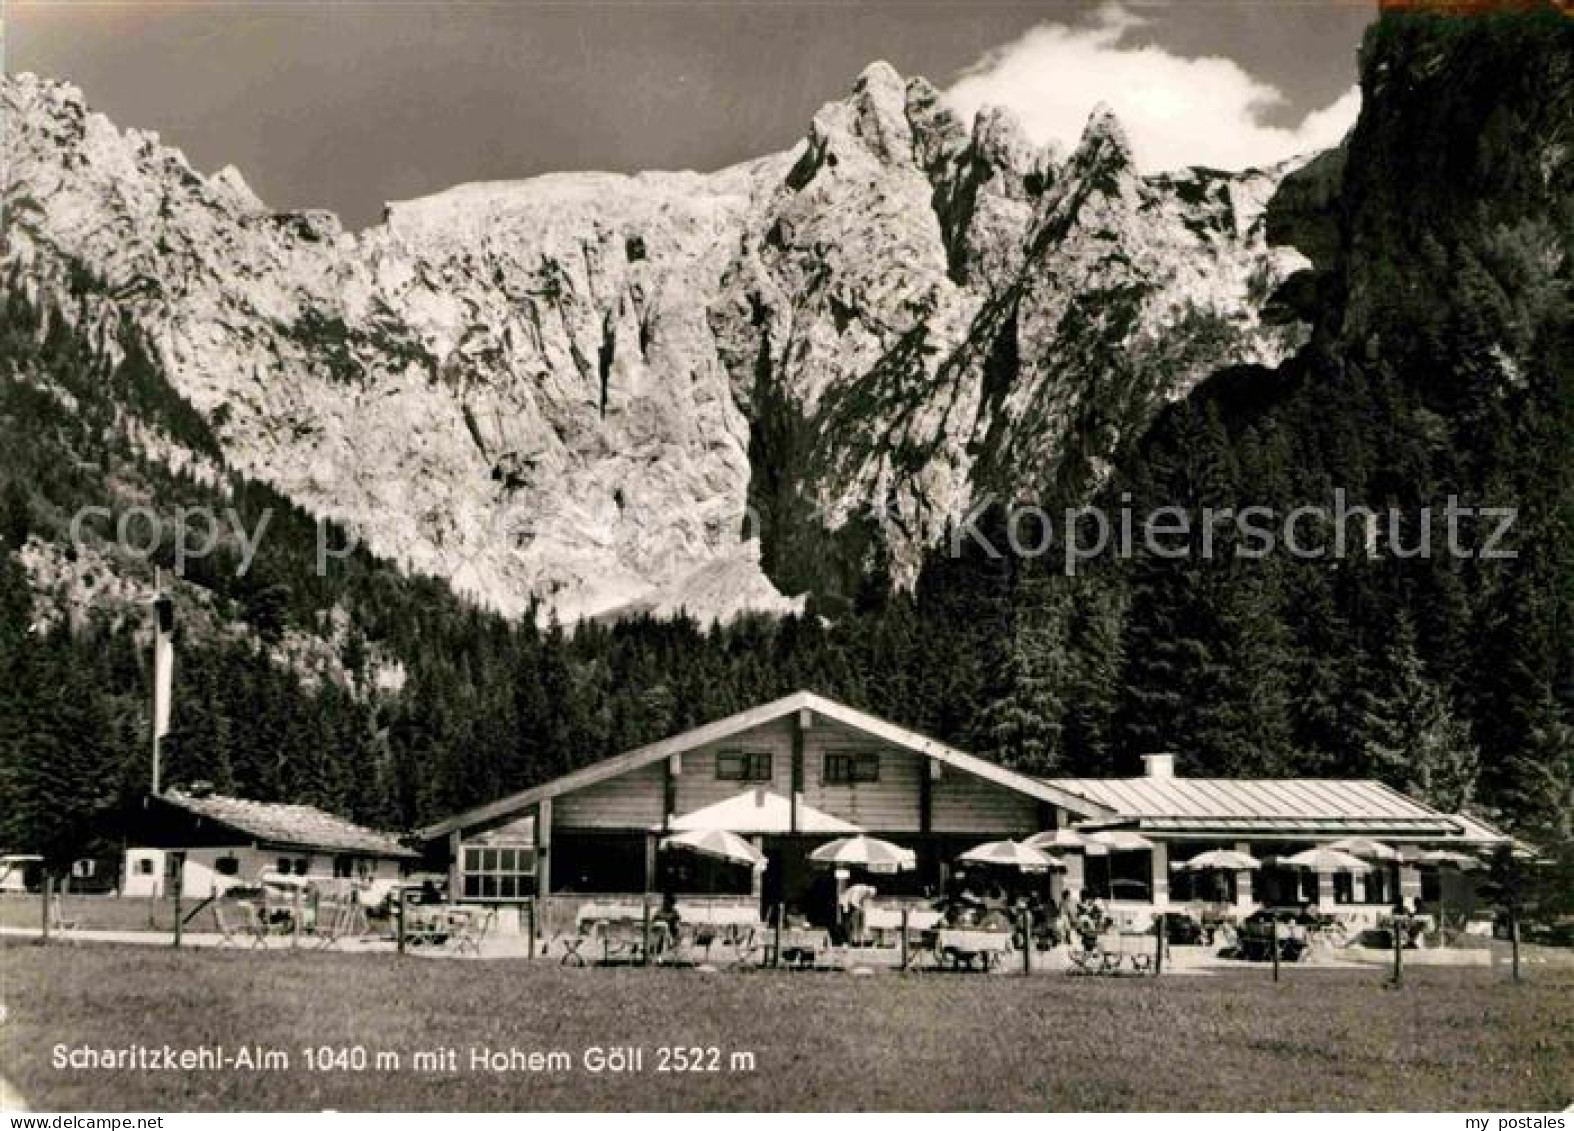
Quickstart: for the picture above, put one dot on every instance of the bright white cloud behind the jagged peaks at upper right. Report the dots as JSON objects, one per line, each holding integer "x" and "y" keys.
{"x": 1177, "y": 111}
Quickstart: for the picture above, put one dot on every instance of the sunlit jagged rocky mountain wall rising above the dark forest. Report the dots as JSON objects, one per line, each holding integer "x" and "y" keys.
{"x": 706, "y": 391}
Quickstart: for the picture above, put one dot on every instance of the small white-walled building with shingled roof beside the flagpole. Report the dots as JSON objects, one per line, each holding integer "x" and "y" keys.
{"x": 231, "y": 841}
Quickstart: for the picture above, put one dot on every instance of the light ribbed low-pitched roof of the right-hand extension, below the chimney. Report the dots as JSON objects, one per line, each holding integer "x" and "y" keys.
{"x": 1290, "y": 806}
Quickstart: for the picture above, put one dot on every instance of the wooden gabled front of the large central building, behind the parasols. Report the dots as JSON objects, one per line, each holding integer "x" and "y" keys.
{"x": 596, "y": 831}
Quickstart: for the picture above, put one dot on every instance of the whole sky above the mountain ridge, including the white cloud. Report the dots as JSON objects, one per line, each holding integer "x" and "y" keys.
{"x": 349, "y": 105}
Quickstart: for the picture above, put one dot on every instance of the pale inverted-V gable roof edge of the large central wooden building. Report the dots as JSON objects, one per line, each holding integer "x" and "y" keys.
{"x": 712, "y": 732}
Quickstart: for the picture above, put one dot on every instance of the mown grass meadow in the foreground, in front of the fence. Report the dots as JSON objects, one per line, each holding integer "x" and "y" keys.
{"x": 1230, "y": 1042}
